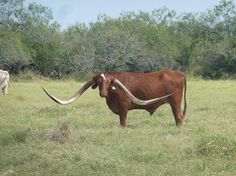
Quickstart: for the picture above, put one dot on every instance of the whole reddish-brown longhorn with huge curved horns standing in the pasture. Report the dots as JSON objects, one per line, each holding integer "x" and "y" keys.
{"x": 125, "y": 91}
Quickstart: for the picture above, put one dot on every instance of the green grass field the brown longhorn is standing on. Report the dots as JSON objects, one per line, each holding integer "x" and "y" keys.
{"x": 39, "y": 137}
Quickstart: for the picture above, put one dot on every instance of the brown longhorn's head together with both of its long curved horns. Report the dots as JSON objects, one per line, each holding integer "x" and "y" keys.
{"x": 106, "y": 83}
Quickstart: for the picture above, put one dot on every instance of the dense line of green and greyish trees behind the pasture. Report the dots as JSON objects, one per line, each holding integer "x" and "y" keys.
{"x": 202, "y": 44}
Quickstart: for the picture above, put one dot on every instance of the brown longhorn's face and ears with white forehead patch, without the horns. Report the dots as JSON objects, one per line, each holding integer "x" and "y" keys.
{"x": 104, "y": 83}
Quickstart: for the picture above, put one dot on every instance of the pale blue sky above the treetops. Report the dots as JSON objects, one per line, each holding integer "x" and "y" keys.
{"x": 68, "y": 12}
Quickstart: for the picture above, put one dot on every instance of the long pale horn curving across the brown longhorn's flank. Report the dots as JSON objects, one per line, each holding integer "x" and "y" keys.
{"x": 135, "y": 99}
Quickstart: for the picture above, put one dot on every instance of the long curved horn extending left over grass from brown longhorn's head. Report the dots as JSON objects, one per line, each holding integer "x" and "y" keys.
{"x": 74, "y": 97}
